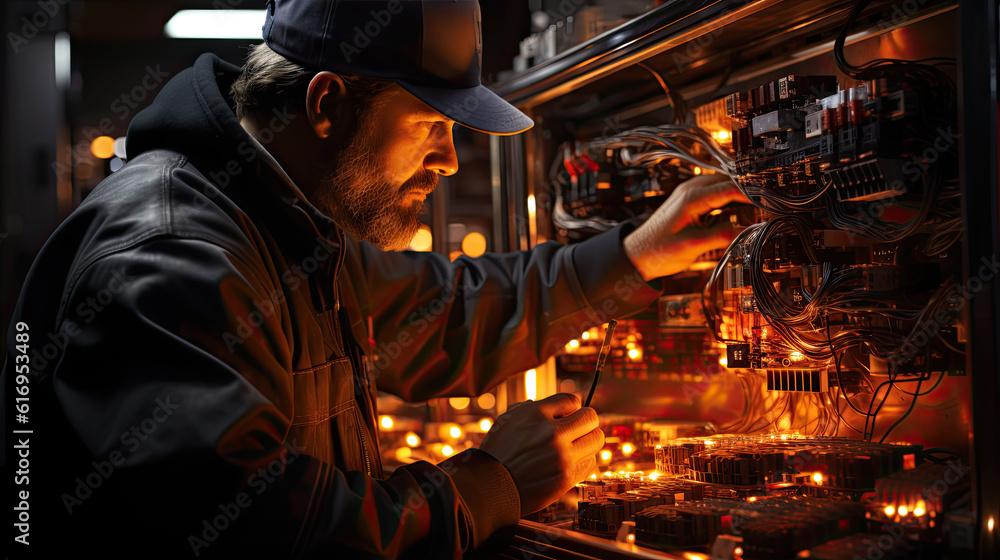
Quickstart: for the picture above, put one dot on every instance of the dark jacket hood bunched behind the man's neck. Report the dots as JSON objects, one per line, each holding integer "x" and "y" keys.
{"x": 192, "y": 114}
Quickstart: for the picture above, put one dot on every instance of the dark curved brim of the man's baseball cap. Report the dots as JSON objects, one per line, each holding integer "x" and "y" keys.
{"x": 477, "y": 108}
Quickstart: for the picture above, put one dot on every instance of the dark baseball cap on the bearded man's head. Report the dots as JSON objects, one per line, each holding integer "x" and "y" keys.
{"x": 431, "y": 48}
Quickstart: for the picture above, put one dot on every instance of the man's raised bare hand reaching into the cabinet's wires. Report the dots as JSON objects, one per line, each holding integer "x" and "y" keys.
{"x": 671, "y": 239}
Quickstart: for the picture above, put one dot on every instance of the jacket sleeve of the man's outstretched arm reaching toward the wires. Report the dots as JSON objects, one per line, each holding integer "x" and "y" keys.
{"x": 458, "y": 328}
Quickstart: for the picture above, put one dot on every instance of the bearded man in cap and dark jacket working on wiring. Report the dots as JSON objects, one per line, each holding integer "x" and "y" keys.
{"x": 216, "y": 304}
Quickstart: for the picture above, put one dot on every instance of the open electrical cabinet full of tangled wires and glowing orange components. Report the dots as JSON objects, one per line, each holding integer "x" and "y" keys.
{"x": 799, "y": 393}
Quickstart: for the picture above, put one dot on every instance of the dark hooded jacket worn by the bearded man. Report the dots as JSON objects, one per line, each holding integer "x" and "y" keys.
{"x": 205, "y": 348}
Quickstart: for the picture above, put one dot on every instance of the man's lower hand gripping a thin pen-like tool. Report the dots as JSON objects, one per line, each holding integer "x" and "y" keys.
{"x": 547, "y": 446}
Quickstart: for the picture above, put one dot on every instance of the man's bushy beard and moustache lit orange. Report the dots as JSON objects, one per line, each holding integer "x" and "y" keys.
{"x": 359, "y": 198}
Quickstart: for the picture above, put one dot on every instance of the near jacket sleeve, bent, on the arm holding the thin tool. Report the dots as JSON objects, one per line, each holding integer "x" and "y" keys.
{"x": 196, "y": 429}
